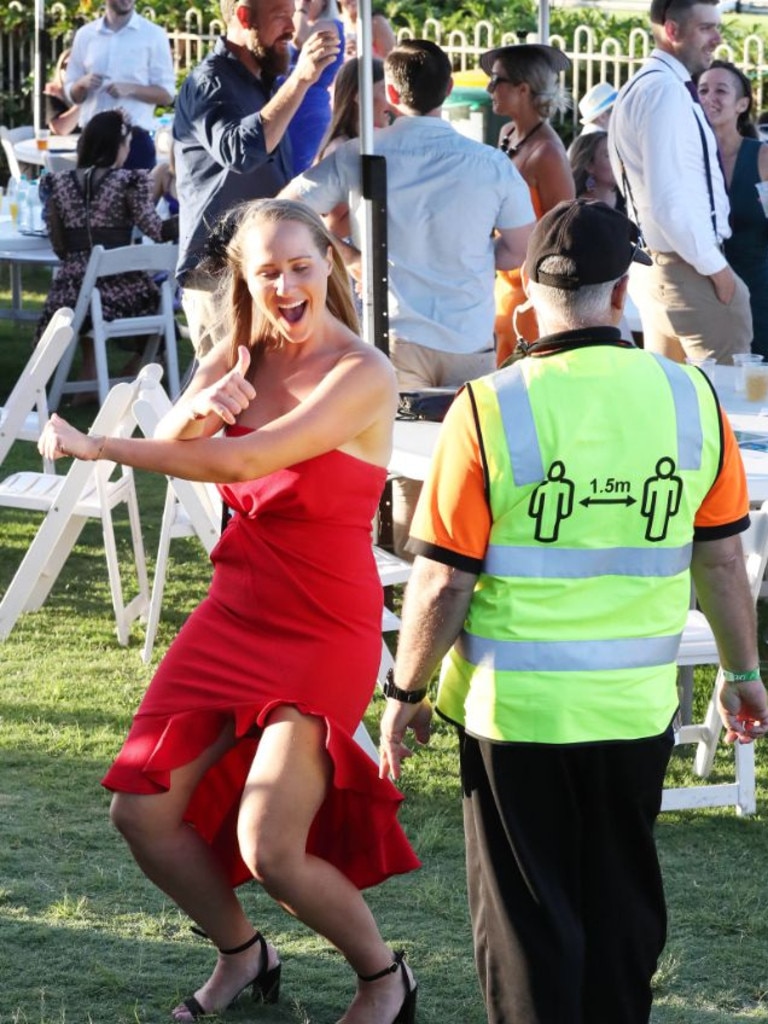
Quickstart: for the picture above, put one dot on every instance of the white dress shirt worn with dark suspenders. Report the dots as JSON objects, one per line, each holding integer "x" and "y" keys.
{"x": 655, "y": 131}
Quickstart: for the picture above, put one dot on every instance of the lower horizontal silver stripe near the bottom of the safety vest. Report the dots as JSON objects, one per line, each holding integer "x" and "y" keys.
{"x": 568, "y": 656}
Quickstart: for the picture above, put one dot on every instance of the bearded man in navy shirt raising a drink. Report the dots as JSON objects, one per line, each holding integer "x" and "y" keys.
{"x": 231, "y": 140}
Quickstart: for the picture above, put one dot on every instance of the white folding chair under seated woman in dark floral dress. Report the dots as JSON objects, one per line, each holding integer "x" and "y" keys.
{"x": 151, "y": 259}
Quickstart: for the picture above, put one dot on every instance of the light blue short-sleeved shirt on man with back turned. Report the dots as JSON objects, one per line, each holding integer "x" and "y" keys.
{"x": 446, "y": 196}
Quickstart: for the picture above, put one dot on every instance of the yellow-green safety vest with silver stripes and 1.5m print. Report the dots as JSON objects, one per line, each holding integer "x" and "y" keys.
{"x": 598, "y": 459}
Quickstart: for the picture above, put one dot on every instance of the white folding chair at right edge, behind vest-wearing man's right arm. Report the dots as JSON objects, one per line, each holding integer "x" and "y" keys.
{"x": 699, "y": 648}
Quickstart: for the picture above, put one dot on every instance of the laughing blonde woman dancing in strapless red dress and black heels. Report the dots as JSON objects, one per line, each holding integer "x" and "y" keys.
{"x": 246, "y": 731}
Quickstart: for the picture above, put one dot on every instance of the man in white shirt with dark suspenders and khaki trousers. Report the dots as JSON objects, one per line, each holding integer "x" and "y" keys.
{"x": 665, "y": 159}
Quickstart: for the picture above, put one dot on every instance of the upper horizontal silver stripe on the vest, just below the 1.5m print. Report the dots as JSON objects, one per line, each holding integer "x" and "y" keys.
{"x": 575, "y": 564}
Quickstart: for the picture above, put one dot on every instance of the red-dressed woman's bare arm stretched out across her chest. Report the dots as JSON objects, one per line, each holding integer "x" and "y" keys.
{"x": 353, "y": 408}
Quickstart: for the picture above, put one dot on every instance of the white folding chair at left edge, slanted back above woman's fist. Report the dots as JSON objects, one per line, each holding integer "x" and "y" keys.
{"x": 26, "y": 411}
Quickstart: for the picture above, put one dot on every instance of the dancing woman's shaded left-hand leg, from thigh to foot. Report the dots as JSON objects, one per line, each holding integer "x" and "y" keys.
{"x": 182, "y": 865}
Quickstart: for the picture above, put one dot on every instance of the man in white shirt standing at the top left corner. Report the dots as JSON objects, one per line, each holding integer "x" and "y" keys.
{"x": 122, "y": 60}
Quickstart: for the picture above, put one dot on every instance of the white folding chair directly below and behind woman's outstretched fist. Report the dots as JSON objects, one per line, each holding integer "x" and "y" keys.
{"x": 89, "y": 491}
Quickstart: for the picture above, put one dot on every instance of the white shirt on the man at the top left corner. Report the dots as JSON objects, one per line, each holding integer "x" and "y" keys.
{"x": 139, "y": 53}
